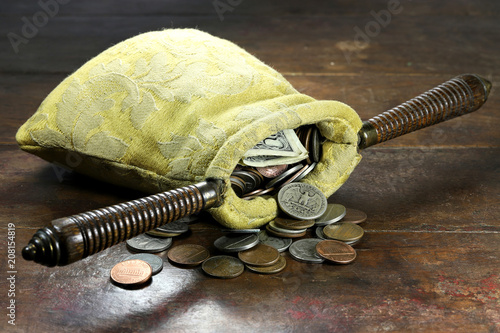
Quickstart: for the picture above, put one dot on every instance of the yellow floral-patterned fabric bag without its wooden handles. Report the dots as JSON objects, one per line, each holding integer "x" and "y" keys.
{"x": 171, "y": 108}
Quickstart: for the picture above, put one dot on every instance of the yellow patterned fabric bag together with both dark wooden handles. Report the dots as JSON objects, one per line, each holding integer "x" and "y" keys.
{"x": 177, "y": 110}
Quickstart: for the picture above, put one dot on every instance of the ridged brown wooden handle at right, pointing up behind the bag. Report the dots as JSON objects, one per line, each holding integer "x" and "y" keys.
{"x": 458, "y": 96}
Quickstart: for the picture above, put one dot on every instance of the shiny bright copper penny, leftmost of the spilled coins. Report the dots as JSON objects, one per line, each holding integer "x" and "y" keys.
{"x": 131, "y": 272}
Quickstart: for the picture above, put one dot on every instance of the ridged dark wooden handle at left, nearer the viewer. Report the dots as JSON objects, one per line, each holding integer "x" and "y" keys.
{"x": 72, "y": 238}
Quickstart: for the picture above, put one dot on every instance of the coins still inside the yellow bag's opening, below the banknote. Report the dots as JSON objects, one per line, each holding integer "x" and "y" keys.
{"x": 250, "y": 182}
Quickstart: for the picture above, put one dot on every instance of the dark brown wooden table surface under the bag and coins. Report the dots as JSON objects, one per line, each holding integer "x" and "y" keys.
{"x": 430, "y": 257}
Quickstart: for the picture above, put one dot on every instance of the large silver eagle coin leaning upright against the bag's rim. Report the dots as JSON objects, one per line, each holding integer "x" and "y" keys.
{"x": 302, "y": 201}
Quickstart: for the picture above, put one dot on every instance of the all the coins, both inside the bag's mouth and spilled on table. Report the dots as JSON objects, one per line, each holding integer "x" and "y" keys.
{"x": 259, "y": 250}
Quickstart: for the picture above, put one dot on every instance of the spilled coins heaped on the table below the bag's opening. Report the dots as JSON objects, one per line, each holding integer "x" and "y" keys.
{"x": 261, "y": 251}
